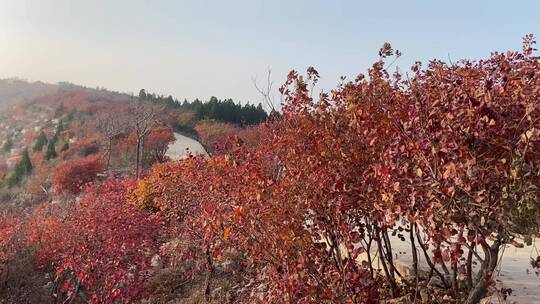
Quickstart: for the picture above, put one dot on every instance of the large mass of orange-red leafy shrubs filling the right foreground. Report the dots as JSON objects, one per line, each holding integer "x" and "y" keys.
{"x": 446, "y": 158}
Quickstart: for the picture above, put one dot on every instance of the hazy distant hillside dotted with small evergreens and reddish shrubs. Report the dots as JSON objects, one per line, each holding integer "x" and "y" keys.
{"x": 58, "y": 124}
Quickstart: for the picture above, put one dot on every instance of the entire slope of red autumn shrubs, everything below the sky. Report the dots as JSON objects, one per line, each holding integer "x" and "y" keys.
{"x": 391, "y": 188}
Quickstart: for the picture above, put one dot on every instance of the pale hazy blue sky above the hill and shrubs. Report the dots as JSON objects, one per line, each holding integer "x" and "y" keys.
{"x": 203, "y": 48}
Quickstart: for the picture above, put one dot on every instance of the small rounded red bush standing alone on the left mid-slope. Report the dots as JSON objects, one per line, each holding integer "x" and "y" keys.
{"x": 72, "y": 175}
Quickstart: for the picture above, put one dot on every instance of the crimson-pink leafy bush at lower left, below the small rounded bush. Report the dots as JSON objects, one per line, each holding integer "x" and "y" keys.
{"x": 102, "y": 244}
